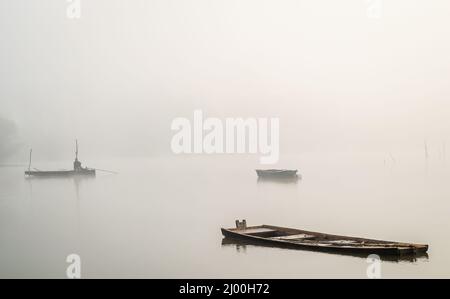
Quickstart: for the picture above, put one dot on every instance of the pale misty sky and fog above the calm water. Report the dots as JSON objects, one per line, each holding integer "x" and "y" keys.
{"x": 116, "y": 77}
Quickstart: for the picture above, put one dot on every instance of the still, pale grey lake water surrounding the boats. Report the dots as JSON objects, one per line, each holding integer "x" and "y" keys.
{"x": 161, "y": 217}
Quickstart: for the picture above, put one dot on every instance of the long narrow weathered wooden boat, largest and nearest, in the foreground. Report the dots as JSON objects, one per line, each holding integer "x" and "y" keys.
{"x": 314, "y": 241}
